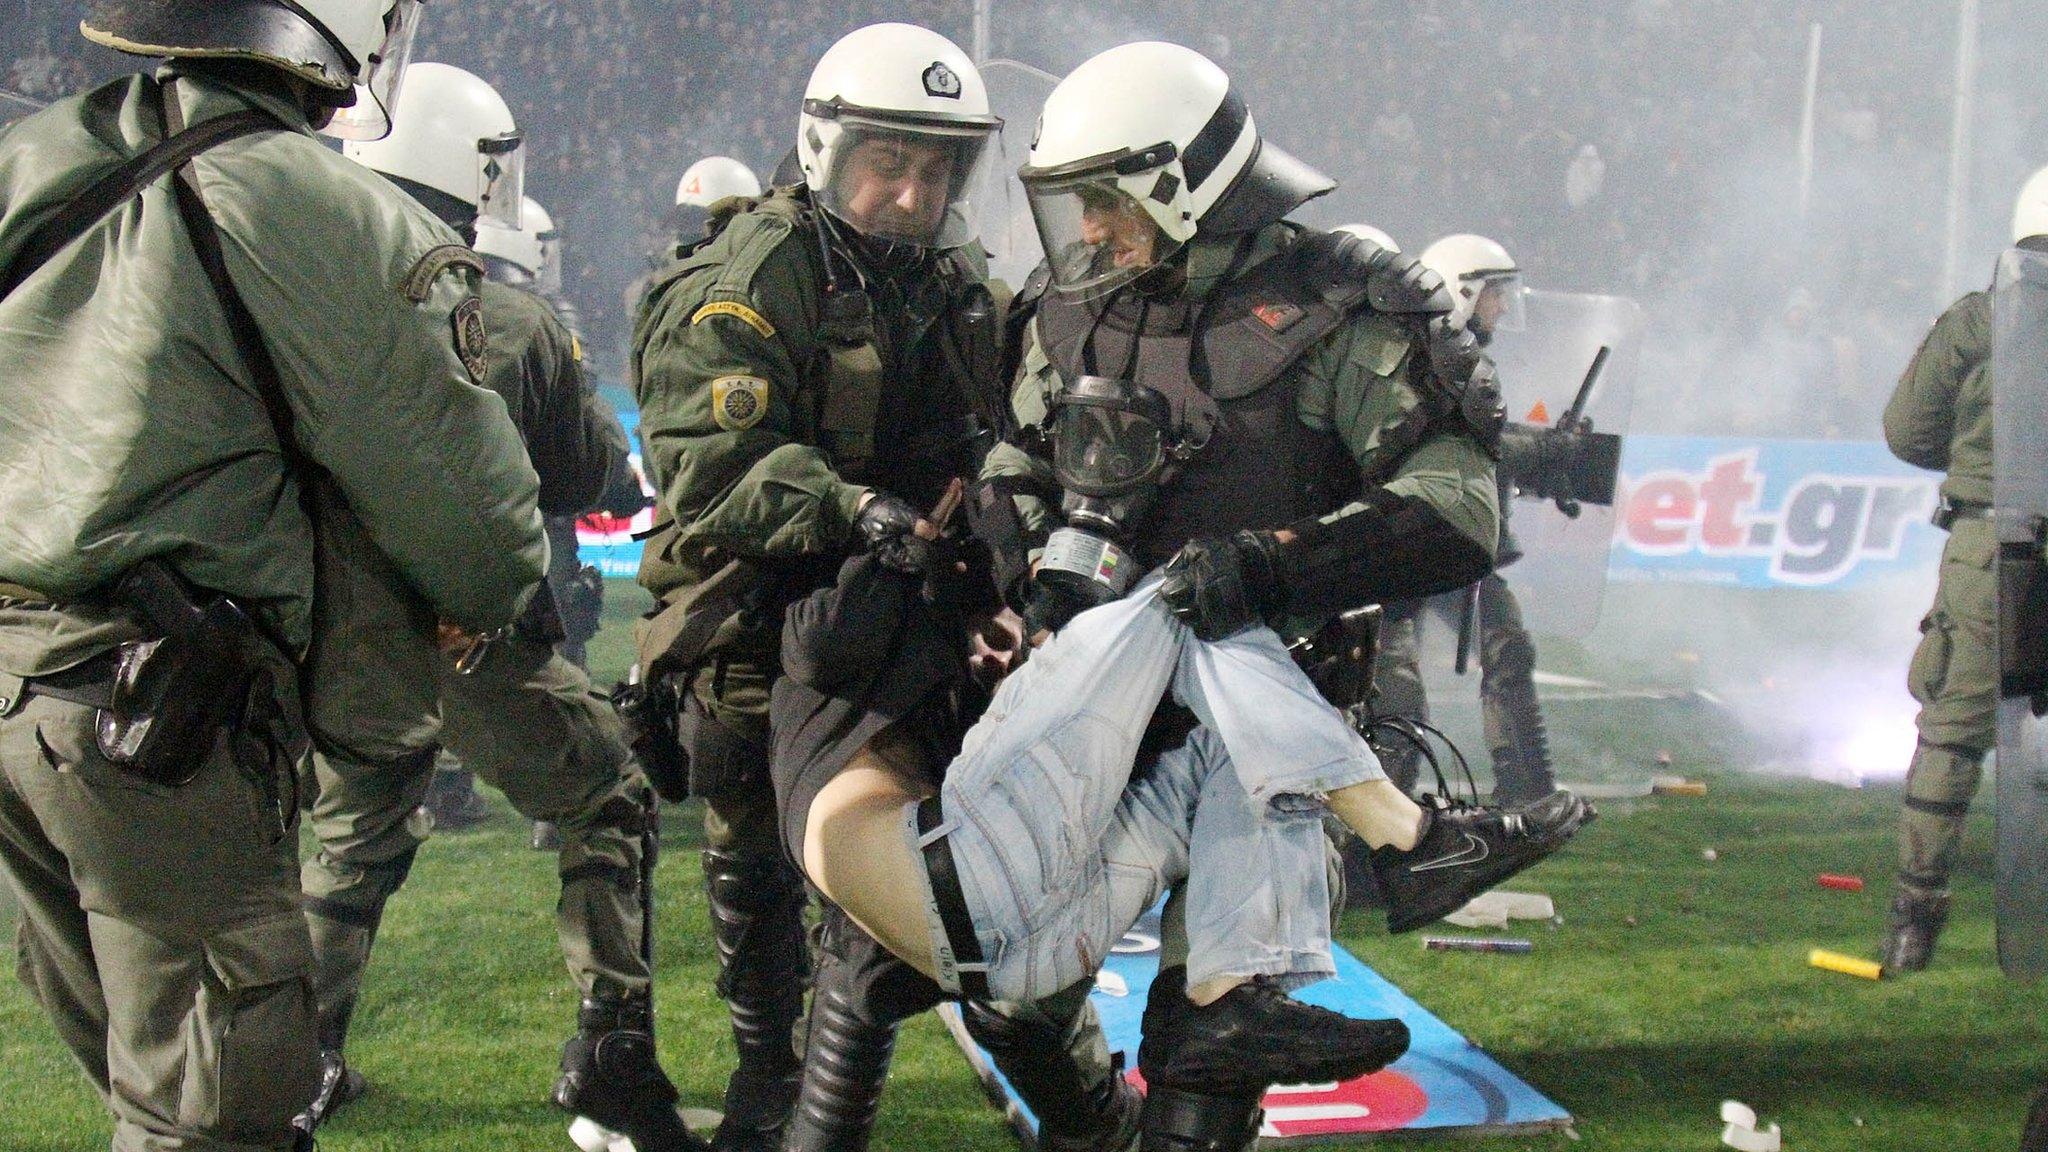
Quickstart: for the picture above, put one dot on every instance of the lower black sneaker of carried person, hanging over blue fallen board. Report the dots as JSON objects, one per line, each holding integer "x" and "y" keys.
{"x": 1258, "y": 1036}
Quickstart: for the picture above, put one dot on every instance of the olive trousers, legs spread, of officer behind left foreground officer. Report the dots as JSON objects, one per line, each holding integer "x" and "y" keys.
{"x": 525, "y": 721}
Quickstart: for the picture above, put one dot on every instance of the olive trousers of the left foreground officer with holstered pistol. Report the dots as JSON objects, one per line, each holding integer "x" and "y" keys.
{"x": 161, "y": 932}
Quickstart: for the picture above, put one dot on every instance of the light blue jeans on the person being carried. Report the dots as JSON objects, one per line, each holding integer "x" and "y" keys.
{"x": 1060, "y": 848}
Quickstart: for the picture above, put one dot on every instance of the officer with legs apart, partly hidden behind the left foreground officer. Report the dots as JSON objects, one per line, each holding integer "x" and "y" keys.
{"x": 517, "y": 712}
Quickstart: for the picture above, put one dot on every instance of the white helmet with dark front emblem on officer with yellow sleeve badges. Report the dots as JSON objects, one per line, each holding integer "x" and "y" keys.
{"x": 894, "y": 132}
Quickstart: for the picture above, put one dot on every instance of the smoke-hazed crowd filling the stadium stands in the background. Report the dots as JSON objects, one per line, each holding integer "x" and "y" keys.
{"x": 1672, "y": 183}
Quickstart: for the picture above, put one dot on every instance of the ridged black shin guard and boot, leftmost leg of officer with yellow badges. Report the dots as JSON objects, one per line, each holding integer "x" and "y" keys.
{"x": 757, "y": 913}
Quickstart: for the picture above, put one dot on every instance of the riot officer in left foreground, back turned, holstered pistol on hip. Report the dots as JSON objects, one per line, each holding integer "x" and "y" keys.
{"x": 194, "y": 360}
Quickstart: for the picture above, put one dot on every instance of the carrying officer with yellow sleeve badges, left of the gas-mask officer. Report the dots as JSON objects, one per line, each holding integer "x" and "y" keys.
{"x": 806, "y": 382}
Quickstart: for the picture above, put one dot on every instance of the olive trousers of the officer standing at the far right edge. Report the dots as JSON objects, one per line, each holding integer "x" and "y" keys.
{"x": 1955, "y": 677}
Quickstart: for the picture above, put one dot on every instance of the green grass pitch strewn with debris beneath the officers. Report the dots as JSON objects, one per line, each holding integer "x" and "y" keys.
{"x": 1674, "y": 983}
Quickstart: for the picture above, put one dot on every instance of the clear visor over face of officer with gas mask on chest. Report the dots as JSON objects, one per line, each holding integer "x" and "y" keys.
{"x": 1097, "y": 235}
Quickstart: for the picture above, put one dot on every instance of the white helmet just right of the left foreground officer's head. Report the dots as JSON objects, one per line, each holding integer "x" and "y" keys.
{"x": 454, "y": 134}
